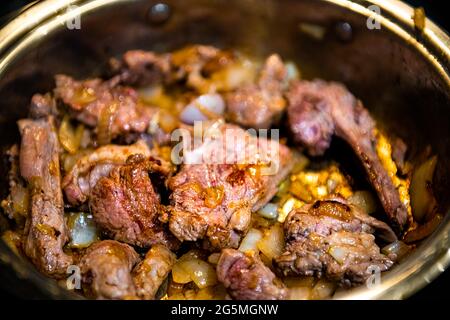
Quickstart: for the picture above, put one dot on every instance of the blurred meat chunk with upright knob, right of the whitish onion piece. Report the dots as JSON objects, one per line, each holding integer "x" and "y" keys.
{"x": 259, "y": 106}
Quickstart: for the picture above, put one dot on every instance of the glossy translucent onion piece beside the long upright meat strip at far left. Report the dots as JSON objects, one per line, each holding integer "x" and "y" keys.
{"x": 82, "y": 229}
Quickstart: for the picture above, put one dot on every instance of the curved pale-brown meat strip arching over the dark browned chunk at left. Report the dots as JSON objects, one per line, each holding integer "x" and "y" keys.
{"x": 84, "y": 175}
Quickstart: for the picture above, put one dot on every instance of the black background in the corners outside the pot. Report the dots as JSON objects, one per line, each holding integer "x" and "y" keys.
{"x": 436, "y": 10}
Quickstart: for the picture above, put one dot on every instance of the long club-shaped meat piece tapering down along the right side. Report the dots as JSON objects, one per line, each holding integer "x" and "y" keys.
{"x": 318, "y": 110}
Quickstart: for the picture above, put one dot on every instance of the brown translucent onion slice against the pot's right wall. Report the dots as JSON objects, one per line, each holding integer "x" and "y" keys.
{"x": 422, "y": 199}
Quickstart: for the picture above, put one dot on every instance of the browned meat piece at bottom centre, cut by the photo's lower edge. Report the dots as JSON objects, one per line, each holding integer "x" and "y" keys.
{"x": 246, "y": 278}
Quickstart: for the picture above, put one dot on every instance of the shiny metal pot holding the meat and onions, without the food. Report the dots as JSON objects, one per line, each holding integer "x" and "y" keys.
{"x": 400, "y": 70}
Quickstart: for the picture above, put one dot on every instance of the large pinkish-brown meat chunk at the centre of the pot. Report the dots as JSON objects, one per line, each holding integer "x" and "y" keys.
{"x": 220, "y": 183}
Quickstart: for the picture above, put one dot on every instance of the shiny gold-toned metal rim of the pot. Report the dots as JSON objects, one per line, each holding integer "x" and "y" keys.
{"x": 47, "y": 16}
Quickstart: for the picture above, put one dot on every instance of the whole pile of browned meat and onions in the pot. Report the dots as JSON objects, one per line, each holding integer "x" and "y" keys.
{"x": 94, "y": 184}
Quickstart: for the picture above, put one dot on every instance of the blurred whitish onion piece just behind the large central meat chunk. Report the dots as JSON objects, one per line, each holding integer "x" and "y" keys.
{"x": 204, "y": 107}
